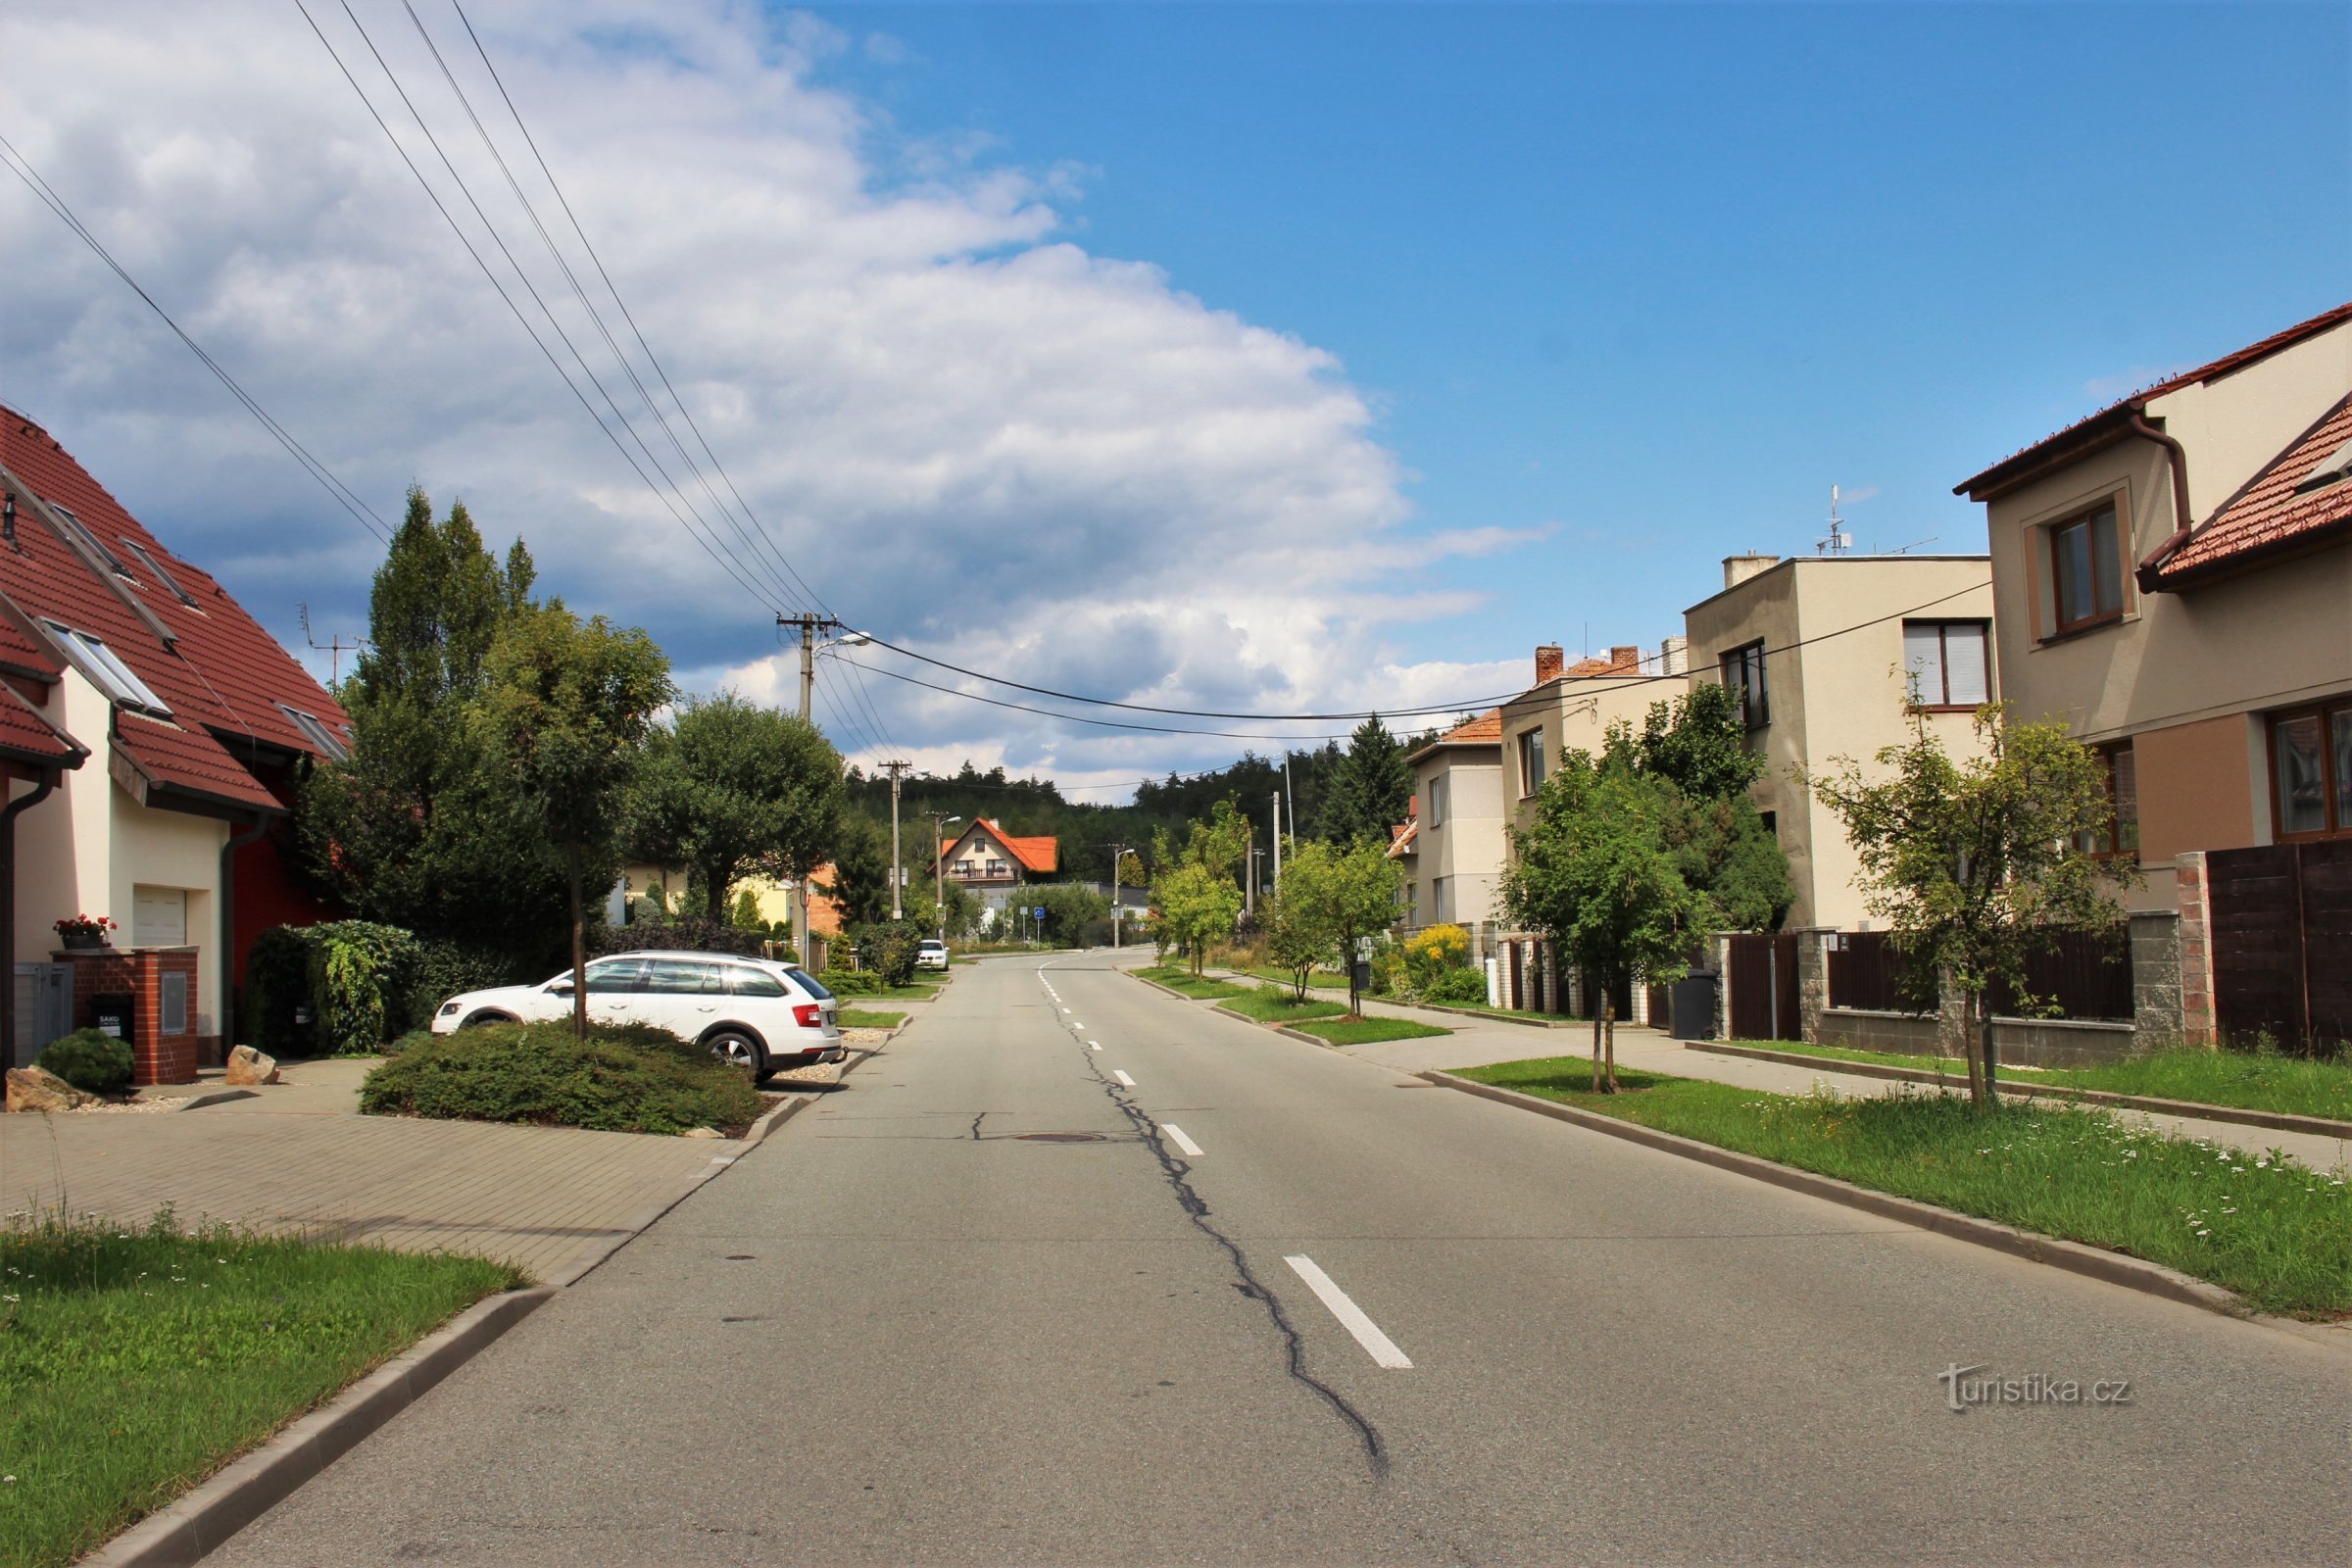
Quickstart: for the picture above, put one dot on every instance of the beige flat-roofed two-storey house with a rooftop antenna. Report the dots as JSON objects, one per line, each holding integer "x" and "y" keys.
{"x": 1831, "y": 657}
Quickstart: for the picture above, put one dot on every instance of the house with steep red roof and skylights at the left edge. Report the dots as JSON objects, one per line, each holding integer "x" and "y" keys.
{"x": 152, "y": 739}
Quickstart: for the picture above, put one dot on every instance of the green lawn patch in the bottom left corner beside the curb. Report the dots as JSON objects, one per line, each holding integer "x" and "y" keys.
{"x": 140, "y": 1360}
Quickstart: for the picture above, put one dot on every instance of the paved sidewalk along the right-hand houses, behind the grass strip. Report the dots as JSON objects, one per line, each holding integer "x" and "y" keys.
{"x": 1478, "y": 1043}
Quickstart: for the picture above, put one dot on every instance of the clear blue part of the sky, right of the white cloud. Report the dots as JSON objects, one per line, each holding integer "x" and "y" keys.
{"x": 1659, "y": 276}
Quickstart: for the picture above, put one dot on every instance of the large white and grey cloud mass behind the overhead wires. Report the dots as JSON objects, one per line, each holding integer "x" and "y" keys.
{"x": 970, "y": 434}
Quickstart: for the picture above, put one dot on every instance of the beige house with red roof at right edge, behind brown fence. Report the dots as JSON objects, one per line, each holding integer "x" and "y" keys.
{"x": 2174, "y": 582}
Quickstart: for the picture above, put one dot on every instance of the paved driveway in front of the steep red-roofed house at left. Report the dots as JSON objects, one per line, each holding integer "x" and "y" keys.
{"x": 295, "y": 1160}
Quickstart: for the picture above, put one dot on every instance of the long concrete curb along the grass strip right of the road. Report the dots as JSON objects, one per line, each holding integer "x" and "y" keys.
{"x": 2073, "y": 1257}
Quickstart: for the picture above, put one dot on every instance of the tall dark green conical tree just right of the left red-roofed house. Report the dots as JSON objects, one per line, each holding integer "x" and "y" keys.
{"x": 413, "y": 831}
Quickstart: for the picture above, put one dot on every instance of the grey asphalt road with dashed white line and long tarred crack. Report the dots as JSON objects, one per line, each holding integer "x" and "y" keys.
{"x": 909, "y": 1332}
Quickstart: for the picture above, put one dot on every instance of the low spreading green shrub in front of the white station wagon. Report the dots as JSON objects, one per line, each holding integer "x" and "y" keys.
{"x": 620, "y": 1080}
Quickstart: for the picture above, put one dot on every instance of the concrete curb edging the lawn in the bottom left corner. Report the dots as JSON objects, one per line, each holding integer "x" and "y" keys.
{"x": 250, "y": 1487}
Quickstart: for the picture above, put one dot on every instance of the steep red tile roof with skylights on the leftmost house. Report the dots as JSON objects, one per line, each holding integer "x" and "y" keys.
{"x": 220, "y": 676}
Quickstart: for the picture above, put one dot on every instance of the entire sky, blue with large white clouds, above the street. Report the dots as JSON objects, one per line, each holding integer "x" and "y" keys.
{"x": 1231, "y": 356}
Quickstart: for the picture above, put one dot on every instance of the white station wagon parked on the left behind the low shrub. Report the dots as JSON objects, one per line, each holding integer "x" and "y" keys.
{"x": 756, "y": 1014}
